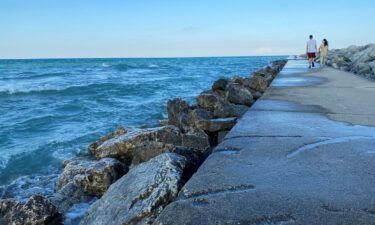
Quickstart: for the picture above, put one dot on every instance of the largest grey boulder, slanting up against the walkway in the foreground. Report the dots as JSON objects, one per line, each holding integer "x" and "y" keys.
{"x": 140, "y": 195}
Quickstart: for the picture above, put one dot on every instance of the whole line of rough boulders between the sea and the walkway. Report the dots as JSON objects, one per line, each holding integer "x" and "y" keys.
{"x": 137, "y": 173}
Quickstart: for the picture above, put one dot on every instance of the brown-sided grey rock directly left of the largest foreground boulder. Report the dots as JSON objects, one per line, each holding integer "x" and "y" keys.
{"x": 94, "y": 177}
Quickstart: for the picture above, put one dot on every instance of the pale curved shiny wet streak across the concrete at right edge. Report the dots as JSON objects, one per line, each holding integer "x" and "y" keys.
{"x": 330, "y": 141}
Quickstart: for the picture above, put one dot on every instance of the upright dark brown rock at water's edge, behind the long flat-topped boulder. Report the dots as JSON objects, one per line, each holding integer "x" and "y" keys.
{"x": 177, "y": 113}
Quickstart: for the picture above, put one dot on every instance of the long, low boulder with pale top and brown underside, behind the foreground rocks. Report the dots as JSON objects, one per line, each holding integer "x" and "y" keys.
{"x": 141, "y": 145}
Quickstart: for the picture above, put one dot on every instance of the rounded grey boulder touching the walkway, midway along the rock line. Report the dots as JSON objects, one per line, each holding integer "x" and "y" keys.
{"x": 238, "y": 94}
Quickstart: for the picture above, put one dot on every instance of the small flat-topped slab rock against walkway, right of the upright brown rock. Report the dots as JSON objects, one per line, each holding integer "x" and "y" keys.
{"x": 215, "y": 125}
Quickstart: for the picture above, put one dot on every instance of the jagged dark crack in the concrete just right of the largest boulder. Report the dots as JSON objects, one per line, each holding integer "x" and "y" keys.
{"x": 209, "y": 192}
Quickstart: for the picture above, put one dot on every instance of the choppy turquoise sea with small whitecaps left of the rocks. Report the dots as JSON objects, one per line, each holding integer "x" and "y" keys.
{"x": 52, "y": 109}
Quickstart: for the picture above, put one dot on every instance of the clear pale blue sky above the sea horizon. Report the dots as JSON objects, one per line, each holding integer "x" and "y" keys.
{"x": 184, "y": 28}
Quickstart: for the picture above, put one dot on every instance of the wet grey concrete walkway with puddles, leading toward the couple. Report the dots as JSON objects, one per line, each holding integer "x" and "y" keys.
{"x": 303, "y": 154}
